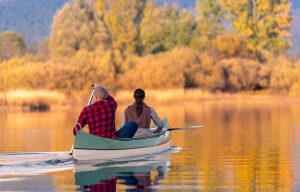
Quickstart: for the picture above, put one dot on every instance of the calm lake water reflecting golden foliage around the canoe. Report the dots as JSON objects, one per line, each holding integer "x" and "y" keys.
{"x": 244, "y": 146}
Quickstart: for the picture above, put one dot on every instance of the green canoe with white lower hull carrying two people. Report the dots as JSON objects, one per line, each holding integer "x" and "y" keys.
{"x": 90, "y": 147}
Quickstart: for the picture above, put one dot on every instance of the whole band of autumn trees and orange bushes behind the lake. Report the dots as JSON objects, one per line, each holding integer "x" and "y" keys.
{"x": 124, "y": 44}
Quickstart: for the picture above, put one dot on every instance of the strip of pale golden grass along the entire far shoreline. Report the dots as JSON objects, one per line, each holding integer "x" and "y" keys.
{"x": 46, "y": 99}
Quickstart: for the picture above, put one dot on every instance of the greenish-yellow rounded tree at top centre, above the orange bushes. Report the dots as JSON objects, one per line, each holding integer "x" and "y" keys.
{"x": 164, "y": 28}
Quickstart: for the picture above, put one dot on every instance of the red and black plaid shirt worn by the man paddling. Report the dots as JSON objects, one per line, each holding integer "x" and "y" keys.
{"x": 100, "y": 118}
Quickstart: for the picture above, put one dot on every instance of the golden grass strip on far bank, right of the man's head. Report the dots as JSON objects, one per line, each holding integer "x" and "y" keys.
{"x": 191, "y": 95}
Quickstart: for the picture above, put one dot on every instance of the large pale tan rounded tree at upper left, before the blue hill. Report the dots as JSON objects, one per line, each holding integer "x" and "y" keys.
{"x": 77, "y": 27}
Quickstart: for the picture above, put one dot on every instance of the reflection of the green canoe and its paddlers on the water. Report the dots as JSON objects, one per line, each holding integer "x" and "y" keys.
{"x": 137, "y": 173}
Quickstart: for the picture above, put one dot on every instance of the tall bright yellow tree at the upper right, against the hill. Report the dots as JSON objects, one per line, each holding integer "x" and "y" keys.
{"x": 265, "y": 24}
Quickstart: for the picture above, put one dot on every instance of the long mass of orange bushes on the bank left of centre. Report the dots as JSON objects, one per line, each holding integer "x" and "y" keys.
{"x": 67, "y": 75}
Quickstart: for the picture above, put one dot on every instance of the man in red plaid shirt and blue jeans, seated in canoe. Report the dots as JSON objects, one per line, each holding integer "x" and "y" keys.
{"x": 100, "y": 117}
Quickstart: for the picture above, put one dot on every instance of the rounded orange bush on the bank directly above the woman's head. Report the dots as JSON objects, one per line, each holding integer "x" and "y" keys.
{"x": 153, "y": 71}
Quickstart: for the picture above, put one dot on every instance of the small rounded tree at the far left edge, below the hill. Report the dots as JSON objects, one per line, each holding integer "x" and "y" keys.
{"x": 11, "y": 44}
